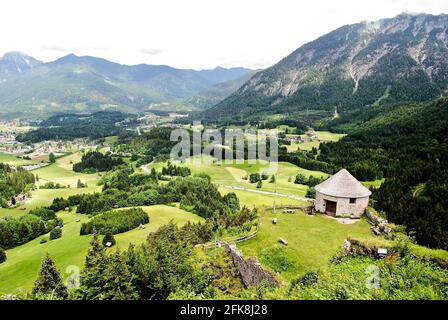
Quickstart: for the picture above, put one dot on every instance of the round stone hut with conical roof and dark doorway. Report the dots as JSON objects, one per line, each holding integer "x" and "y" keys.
{"x": 342, "y": 195}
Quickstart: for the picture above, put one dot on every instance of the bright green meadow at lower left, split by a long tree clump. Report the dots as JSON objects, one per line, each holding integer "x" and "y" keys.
{"x": 20, "y": 270}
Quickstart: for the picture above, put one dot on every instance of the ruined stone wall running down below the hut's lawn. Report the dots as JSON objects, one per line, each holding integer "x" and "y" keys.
{"x": 250, "y": 269}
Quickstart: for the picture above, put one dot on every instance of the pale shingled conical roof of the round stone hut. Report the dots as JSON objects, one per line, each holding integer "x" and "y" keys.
{"x": 343, "y": 185}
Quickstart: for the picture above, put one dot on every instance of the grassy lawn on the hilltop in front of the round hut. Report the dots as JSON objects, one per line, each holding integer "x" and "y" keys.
{"x": 312, "y": 240}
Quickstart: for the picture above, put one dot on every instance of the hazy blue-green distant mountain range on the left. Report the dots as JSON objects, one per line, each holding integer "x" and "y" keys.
{"x": 29, "y": 87}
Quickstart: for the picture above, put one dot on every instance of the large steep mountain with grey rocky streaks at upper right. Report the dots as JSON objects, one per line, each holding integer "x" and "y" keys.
{"x": 392, "y": 60}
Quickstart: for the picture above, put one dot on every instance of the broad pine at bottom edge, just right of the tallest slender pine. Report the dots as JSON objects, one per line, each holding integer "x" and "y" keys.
{"x": 118, "y": 284}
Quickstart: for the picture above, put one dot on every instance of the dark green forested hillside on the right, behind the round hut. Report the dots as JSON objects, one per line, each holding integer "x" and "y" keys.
{"x": 408, "y": 146}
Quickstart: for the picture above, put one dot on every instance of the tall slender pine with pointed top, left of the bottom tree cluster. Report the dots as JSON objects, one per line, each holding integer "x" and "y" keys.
{"x": 92, "y": 278}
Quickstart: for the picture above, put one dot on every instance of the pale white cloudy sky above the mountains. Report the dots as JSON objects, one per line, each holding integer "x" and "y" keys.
{"x": 185, "y": 33}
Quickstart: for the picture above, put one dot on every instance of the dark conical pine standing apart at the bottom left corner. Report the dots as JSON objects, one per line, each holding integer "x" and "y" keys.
{"x": 49, "y": 281}
